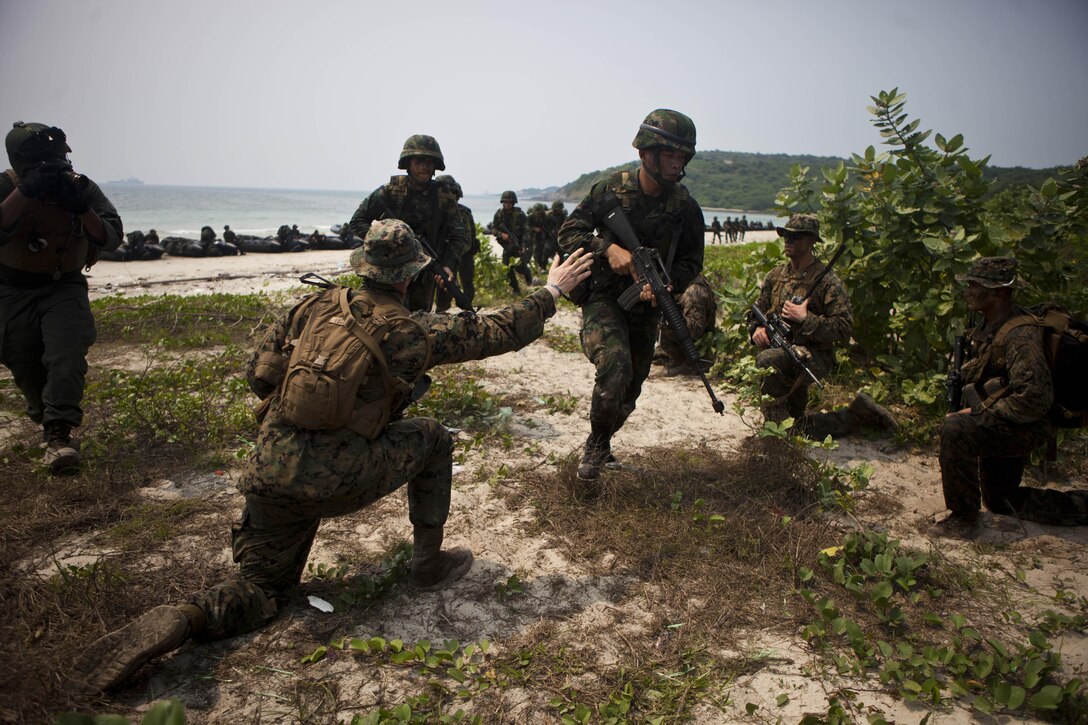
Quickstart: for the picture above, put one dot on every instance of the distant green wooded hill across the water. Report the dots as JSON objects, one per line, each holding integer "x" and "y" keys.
{"x": 737, "y": 180}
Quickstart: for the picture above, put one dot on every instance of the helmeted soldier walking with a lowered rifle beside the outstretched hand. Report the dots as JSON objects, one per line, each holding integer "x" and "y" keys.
{"x": 619, "y": 342}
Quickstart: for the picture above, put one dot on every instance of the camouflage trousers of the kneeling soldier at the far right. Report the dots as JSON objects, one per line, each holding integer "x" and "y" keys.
{"x": 973, "y": 473}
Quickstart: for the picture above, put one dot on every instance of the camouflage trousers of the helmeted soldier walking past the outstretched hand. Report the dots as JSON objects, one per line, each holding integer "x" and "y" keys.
{"x": 621, "y": 345}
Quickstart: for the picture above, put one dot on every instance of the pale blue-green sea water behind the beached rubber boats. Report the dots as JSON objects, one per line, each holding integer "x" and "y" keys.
{"x": 183, "y": 211}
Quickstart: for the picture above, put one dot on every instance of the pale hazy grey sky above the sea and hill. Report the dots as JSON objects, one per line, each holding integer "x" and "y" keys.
{"x": 323, "y": 94}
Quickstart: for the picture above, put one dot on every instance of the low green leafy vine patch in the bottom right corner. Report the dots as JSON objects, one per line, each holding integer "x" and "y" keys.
{"x": 967, "y": 668}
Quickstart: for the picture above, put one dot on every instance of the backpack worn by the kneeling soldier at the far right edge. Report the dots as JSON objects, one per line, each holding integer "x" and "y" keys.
{"x": 1066, "y": 346}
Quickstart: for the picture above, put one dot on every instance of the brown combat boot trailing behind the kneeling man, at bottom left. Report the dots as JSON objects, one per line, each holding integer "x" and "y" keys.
{"x": 115, "y": 658}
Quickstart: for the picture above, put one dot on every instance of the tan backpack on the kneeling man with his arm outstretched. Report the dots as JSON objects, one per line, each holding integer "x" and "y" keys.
{"x": 335, "y": 358}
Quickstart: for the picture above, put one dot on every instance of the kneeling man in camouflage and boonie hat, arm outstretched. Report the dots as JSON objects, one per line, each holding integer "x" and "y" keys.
{"x": 296, "y": 476}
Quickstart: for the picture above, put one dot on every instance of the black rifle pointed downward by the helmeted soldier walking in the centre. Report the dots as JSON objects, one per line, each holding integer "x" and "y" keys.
{"x": 650, "y": 271}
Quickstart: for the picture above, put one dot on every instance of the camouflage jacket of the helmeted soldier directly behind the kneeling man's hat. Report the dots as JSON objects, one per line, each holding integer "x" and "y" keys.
{"x": 430, "y": 214}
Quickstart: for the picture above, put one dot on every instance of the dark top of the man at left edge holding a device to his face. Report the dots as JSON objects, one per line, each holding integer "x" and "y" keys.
{"x": 69, "y": 245}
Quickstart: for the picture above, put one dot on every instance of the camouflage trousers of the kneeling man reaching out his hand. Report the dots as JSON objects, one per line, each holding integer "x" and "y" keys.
{"x": 295, "y": 480}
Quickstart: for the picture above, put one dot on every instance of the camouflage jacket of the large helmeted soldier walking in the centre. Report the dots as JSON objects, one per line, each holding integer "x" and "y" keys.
{"x": 673, "y": 220}
